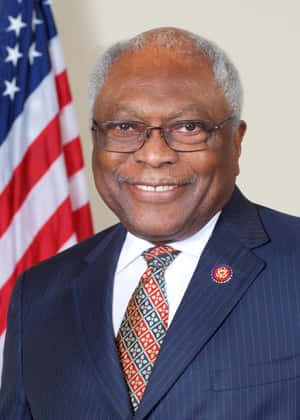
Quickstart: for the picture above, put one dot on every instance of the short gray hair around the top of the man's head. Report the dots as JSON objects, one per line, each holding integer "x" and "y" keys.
{"x": 225, "y": 72}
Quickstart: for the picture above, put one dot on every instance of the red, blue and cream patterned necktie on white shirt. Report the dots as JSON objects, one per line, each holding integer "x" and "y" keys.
{"x": 145, "y": 323}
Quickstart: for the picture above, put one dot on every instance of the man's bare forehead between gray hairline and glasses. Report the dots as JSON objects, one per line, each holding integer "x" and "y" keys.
{"x": 161, "y": 77}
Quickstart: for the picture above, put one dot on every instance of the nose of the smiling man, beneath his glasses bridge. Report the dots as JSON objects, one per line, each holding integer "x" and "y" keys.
{"x": 155, "y": 151}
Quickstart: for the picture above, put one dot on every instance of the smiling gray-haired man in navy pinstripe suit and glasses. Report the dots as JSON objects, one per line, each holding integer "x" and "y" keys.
{"x": 188, "y": 309}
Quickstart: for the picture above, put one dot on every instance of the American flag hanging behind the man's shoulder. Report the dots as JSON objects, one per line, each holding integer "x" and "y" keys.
{"x": 44, "y": 204}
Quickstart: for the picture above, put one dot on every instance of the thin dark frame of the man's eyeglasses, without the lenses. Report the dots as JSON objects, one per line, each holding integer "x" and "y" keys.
{"x": 148, "y": 130}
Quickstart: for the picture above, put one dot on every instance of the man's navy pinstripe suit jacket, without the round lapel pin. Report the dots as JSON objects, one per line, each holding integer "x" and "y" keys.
{"x": 232, "y": 351}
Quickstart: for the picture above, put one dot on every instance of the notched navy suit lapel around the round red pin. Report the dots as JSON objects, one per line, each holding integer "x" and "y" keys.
{"x": 206, "y": 304}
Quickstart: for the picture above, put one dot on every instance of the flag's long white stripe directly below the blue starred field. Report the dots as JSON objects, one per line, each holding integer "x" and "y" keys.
{"x": 40, "y": 108}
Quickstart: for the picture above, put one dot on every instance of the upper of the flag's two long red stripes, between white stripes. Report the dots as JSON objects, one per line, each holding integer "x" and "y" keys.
{"x": 36, "y": 161}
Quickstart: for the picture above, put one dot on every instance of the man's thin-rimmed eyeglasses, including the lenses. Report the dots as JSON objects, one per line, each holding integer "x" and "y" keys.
{"x": 130, "y": 136}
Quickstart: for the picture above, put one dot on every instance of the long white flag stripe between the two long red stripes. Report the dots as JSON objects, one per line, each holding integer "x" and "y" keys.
{"x": 39, "y": 206}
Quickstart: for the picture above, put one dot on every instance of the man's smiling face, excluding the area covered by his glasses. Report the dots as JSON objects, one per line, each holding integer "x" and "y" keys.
{"x": 155, "y": 86}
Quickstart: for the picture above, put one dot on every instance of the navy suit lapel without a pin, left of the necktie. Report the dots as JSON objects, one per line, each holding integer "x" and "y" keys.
{"x": 93, "y": 303}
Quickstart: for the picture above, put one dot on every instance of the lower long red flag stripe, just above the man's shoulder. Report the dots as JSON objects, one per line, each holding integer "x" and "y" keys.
{"x": 46, "y": 243}
